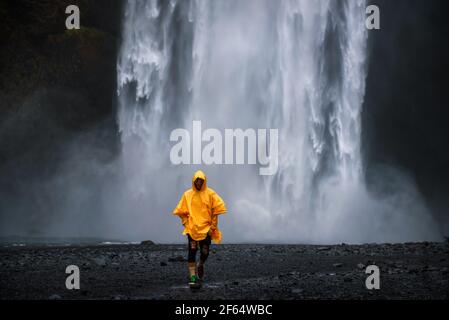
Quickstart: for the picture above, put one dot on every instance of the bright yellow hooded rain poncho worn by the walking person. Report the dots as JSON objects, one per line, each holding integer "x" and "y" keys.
{"x": 199, "y": 211}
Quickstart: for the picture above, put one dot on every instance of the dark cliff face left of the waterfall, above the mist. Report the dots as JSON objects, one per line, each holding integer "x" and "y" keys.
{"x": 54, "y": 82}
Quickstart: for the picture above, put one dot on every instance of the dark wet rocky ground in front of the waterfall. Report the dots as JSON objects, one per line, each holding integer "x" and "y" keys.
{"x": 242, "y": 271}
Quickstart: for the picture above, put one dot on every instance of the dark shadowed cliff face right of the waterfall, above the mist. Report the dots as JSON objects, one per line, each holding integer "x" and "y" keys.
{"x": 406, "y": 114}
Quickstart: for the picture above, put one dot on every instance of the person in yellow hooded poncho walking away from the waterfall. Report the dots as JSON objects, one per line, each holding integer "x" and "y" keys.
{"x": 198, "y": 209}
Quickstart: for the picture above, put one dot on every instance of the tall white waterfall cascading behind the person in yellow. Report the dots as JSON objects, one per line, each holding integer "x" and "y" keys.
{"x": 297, "y": 66}
